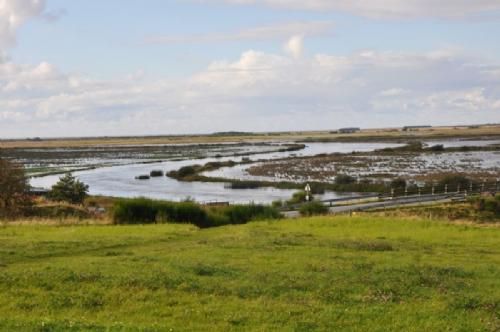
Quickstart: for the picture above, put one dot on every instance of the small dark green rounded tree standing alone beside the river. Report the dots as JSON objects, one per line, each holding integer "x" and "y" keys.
{"x": 69, "y": 189}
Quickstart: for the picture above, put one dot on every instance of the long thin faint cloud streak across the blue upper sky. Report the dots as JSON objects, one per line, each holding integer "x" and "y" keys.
{"x": 271, "y": 32}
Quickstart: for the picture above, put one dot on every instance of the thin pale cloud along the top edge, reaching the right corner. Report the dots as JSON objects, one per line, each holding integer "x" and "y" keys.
{"x": 386, "y": 8}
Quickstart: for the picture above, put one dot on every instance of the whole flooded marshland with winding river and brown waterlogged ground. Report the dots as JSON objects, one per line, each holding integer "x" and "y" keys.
{"x": 113, "y": 171}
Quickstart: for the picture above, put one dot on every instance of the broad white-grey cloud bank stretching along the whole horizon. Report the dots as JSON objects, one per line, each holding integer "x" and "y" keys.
{"x": 258, "y": 91}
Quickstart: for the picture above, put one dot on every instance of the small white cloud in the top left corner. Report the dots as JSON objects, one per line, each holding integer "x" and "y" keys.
{"x": 13, "y": 14}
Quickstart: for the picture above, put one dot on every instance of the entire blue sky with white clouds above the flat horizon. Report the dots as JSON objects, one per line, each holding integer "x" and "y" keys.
{"x": 162, "y": 67}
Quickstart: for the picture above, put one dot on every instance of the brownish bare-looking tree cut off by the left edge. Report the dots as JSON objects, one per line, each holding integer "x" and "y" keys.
{"x": 14, "y": 189}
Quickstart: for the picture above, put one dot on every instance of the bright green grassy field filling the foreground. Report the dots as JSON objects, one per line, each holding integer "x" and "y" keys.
{"x": 325, "y": 274}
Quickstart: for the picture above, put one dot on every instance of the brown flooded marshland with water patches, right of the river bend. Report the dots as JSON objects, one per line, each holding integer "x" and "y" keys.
{"x": 375, "y": 166}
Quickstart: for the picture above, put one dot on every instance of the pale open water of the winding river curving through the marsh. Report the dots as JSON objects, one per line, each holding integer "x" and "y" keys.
{"x": 119, "y": 181}
